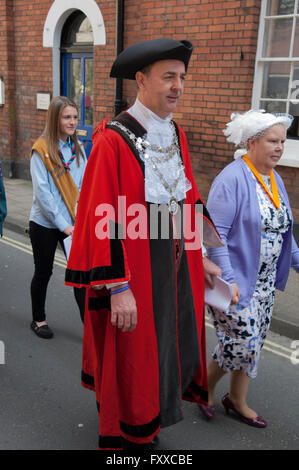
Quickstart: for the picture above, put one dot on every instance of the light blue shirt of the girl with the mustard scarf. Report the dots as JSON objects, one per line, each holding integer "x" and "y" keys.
{"x": 48, "y": 208}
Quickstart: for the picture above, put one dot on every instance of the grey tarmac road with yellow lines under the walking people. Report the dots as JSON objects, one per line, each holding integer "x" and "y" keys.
{"x": 43, "y": 405}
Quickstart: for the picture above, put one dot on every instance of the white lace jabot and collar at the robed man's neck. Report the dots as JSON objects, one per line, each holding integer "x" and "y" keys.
{"x": 159, "y": 132}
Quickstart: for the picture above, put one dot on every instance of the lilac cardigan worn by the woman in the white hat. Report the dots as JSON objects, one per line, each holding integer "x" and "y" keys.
{"x": 233, "y": 206}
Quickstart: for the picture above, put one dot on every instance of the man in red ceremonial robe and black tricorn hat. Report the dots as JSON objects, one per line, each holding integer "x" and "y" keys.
{"x": 136, "y": 248}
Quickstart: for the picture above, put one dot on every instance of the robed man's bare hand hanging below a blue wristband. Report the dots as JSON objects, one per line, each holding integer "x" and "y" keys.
{"x": 124, "y": 311}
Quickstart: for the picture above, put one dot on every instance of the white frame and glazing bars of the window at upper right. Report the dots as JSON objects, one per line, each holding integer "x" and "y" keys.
{"x": 291, "y": 149}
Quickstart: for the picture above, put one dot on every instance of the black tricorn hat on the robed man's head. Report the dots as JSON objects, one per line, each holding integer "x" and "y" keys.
{"x": 144, "y": 53}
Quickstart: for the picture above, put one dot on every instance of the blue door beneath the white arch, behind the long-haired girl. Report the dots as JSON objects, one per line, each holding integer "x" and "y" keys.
{"x": 78, "y": 85}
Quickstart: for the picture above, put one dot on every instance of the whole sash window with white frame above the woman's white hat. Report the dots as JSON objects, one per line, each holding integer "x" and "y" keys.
{"x": 276, "y": 82}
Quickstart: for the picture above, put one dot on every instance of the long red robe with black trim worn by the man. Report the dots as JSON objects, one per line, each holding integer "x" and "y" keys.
{"x": 139, "y": 377}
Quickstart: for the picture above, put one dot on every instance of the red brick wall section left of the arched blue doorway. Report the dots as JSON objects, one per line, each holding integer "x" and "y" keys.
{"x": 28, "y": 70}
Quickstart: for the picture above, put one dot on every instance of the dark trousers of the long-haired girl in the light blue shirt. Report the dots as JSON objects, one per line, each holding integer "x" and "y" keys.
{"x": 44, "y": 243}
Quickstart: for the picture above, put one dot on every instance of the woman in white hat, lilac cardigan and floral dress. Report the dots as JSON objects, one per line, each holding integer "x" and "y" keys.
{"x": 250, "y": 208}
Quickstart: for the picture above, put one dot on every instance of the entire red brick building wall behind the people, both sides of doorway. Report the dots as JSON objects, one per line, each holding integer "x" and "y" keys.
{"x": 219, "y": 81}
